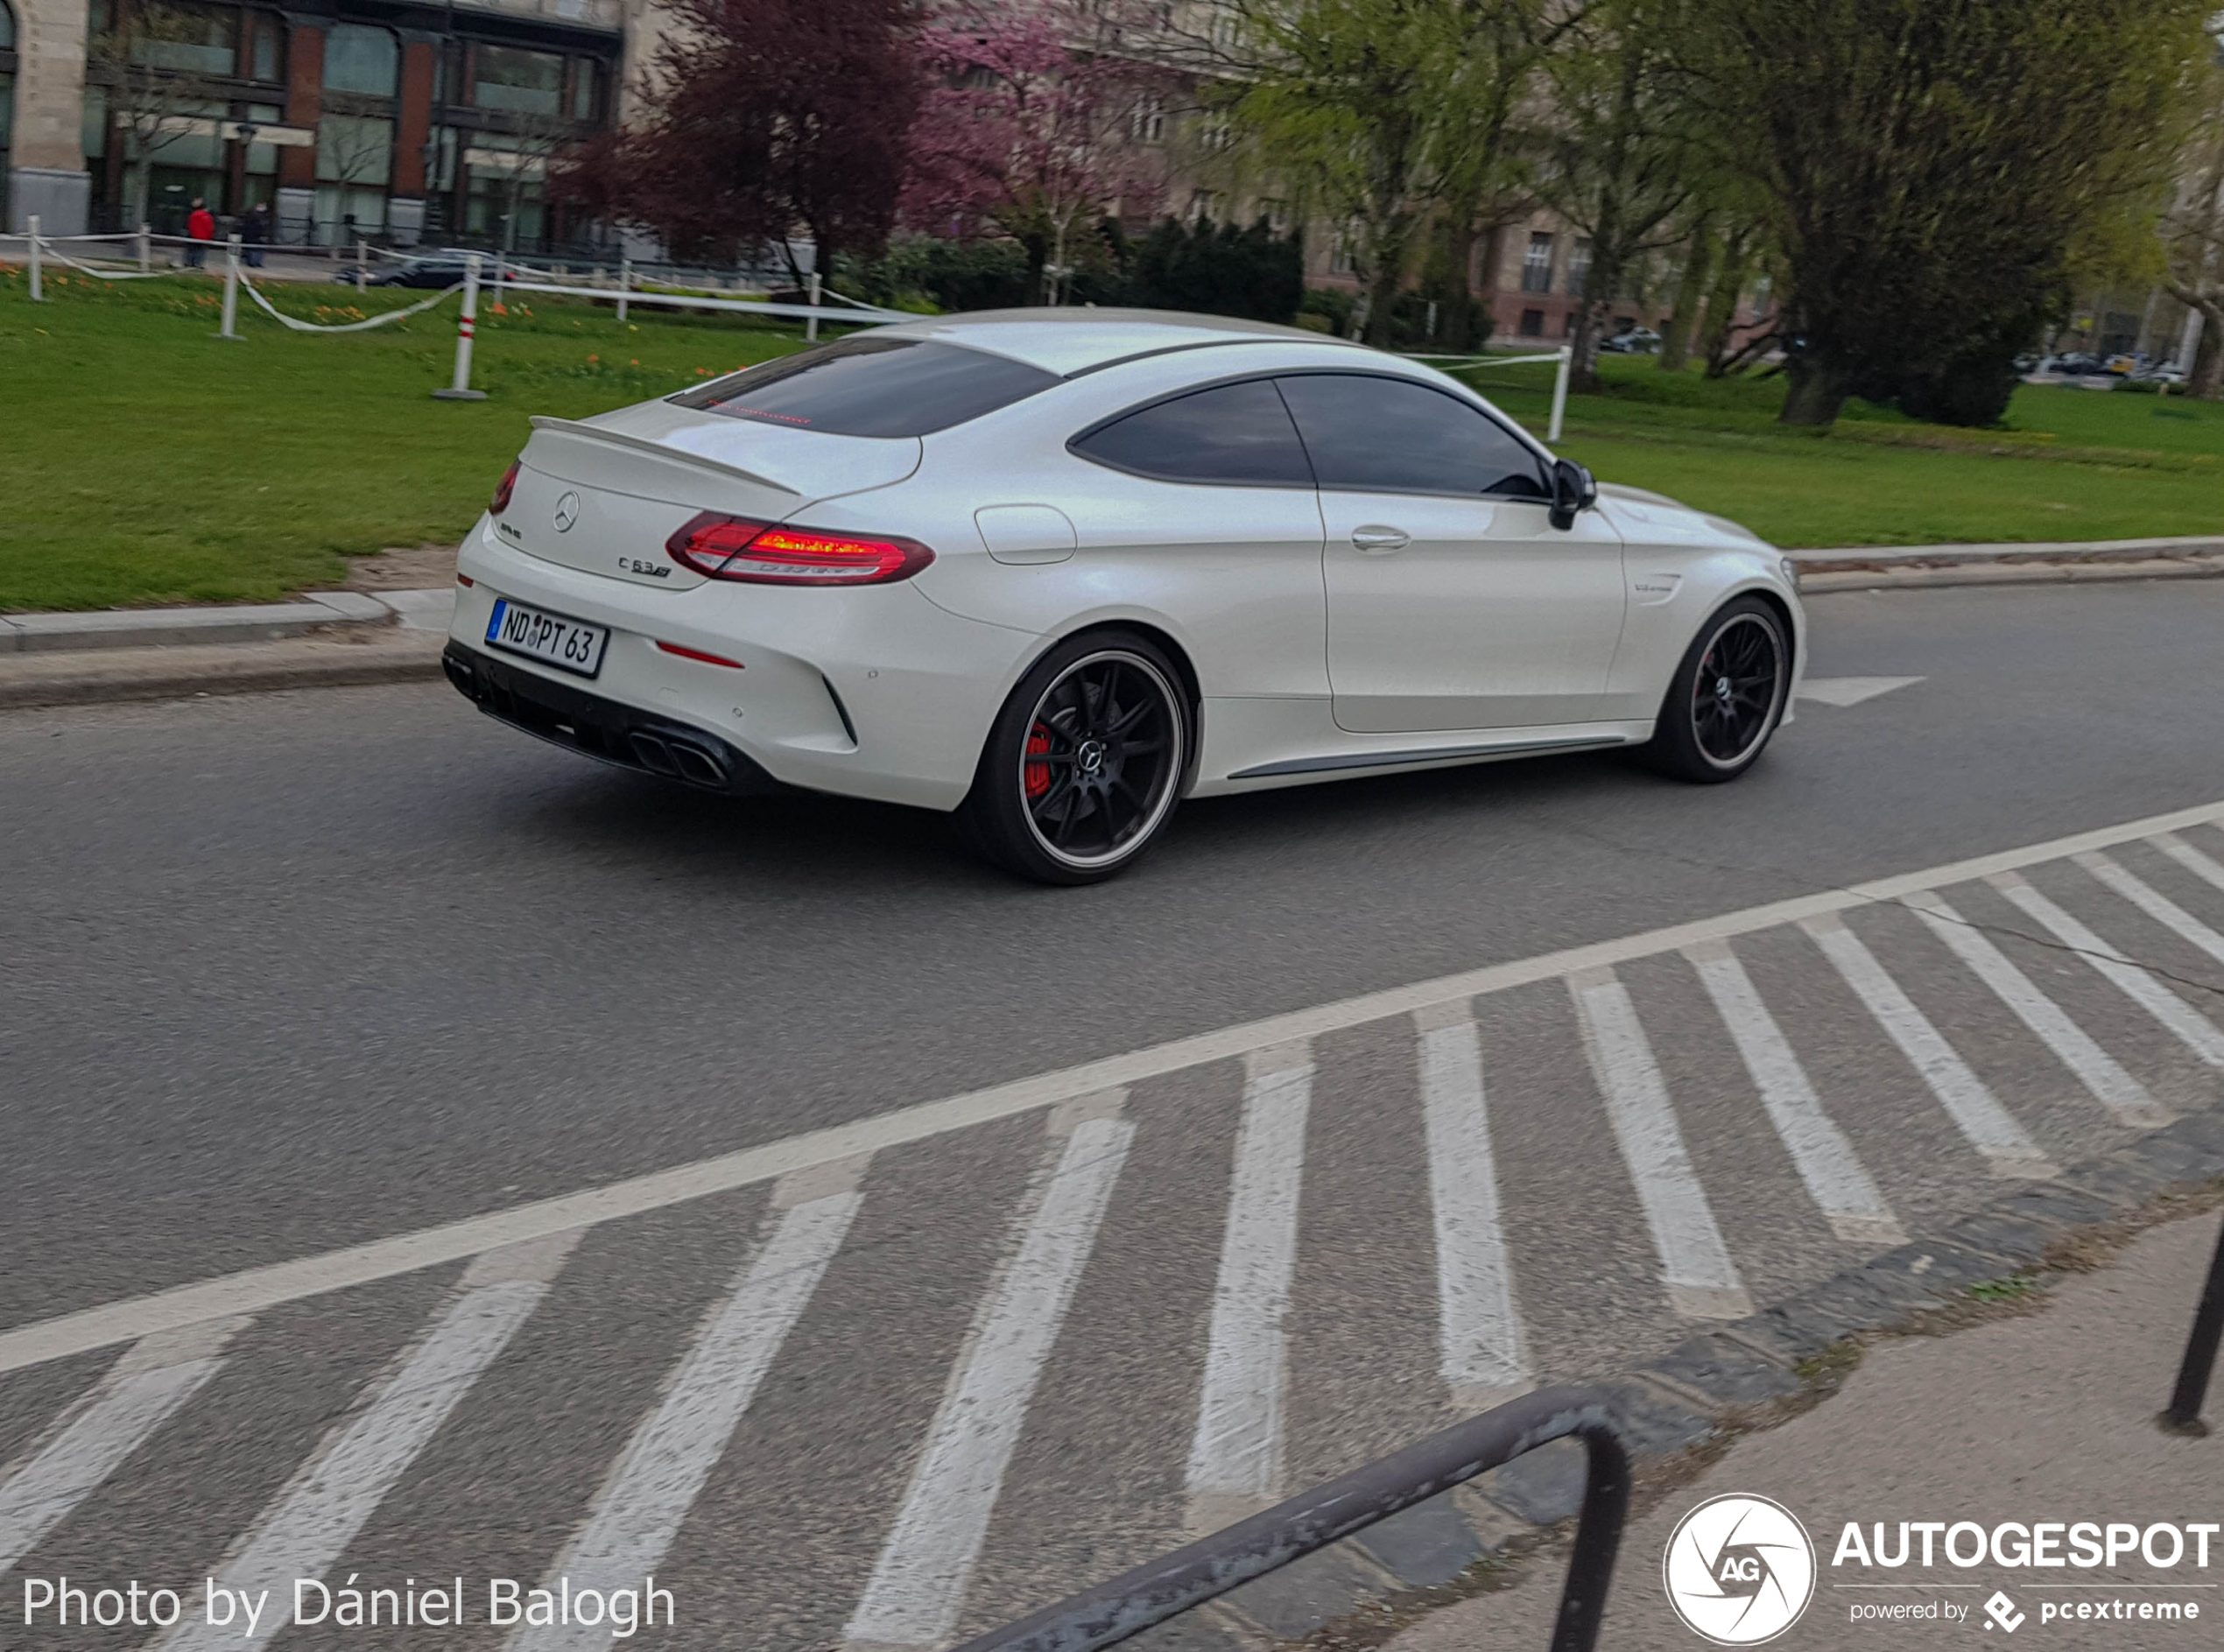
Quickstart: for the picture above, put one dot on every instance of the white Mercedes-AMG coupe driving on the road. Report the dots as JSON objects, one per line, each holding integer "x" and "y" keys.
{"x": 1062, "y": 568}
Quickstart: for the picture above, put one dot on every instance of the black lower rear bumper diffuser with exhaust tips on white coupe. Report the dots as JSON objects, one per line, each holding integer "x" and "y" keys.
{"x": 604, "y": 730}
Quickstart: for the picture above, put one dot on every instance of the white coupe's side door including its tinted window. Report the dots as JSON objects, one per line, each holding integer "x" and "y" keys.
{"x": 1453, "y": 604}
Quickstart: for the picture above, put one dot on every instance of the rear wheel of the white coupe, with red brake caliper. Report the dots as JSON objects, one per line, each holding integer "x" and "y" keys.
{"x": 1084, "y": 766}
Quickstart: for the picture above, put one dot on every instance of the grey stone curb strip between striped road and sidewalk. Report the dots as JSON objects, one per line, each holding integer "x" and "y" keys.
{"x": 1696, "y": 1393}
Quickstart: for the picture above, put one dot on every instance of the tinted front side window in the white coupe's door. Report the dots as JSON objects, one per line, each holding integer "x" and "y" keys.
{"x": 1391, "y": 437}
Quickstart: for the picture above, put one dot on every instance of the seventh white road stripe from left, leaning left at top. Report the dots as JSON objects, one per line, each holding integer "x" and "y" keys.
{"x": 1700, "y": 1275}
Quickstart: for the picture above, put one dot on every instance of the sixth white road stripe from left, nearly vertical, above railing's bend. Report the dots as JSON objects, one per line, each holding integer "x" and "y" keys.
{"x": 1478, "y": 1315}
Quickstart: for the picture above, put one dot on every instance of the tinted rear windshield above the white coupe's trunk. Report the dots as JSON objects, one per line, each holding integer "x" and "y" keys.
{"x": 873, "y": 388}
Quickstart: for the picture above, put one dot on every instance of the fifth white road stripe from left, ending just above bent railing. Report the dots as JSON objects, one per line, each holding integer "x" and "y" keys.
{"x": 1235, "y": 1455}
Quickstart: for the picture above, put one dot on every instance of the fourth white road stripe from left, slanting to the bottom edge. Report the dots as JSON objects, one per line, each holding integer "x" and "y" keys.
{"x": 920, "y": 1582}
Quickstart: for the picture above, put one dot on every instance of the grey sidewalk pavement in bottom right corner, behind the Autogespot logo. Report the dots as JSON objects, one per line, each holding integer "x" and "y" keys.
{"x": 2038, "y": 1417}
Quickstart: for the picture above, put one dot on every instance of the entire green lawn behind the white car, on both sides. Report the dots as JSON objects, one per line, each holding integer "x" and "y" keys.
{"x": 148, "y": 461}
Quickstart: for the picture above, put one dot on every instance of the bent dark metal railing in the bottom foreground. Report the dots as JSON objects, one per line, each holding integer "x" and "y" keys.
{"x": 1209, "y": 1569}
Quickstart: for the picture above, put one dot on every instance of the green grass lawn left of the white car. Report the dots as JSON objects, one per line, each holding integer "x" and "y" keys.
{"x": 150, "y": 461}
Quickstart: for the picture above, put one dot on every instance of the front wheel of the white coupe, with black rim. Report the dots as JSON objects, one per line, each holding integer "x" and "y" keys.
{"x": 1727, "y": 695}
